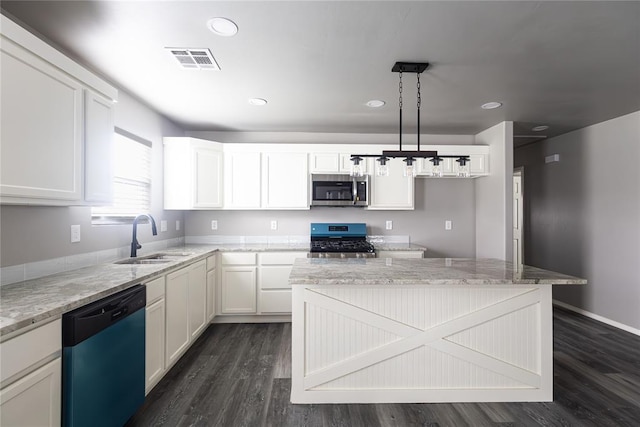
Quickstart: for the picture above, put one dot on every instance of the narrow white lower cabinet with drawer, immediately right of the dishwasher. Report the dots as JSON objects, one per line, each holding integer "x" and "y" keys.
{"x": 155, "y": 333}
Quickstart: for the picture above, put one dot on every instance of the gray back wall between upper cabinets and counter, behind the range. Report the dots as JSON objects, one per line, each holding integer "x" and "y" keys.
{"x": 436, "y": 200}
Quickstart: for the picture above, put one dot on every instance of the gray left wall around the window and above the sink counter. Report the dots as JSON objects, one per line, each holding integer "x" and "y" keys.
{"x": 33, "y": 233}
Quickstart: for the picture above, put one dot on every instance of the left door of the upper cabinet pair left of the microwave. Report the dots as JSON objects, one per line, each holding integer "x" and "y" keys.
{"x": 242, "y": 175}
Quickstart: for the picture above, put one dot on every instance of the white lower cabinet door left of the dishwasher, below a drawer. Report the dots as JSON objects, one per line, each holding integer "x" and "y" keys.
{"x": 34, "y": 400}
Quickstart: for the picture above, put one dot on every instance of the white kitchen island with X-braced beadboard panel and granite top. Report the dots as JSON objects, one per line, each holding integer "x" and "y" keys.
{"x": 421, "y": 330}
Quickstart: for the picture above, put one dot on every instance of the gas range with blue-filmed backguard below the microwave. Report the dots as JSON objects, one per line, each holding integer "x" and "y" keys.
{"x": 340, "y": 240}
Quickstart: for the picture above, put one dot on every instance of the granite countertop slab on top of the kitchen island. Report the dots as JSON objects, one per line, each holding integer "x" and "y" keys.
{"x": 426, "y": 271}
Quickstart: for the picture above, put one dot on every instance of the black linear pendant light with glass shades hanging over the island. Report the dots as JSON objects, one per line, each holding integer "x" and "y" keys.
{"x": 410, "y": 157}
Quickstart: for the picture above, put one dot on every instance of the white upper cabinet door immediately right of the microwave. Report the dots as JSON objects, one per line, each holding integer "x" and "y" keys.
{"x": 395, "y": 191}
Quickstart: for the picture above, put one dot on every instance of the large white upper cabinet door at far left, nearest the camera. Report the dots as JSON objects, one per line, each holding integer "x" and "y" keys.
{"x": 41, "y": 132}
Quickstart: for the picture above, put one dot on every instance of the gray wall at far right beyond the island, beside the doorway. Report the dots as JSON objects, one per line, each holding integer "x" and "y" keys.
{"x": 582, "y": 215}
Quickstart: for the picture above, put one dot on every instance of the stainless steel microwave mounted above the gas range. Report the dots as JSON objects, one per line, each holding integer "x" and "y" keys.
{"x": 339, "y": 190}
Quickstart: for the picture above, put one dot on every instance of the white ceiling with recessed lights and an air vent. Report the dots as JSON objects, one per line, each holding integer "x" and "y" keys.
{"x": 562, "y": 64}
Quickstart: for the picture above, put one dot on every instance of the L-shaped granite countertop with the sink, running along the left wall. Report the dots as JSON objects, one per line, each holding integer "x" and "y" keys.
{"x": 32, "y": 301}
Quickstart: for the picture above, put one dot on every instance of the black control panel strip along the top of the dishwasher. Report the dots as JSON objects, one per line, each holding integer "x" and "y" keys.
{"x": 87, "y": 321}
